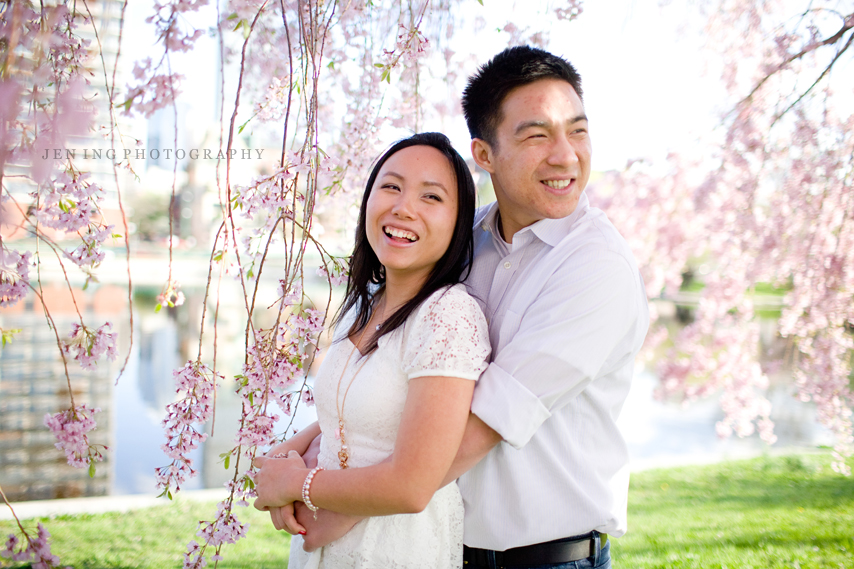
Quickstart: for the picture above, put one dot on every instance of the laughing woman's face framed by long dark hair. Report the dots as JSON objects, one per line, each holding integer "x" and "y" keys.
{"x": 412, "y": 212}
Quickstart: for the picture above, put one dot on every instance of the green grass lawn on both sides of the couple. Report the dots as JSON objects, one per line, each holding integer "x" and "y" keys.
{"x": 791, "y": 511}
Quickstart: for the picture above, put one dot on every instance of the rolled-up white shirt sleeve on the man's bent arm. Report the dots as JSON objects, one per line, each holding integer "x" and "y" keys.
{"x": 571, "y": 333}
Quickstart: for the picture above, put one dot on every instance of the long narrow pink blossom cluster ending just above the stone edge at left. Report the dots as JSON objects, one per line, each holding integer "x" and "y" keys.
{"x": 195, "y": 384}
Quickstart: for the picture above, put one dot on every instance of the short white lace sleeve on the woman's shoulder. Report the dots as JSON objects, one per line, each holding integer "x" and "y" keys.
{"x": 448, "y": 337}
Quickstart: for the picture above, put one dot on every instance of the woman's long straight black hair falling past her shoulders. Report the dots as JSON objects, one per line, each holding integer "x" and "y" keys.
{"x": 367, "y": 275}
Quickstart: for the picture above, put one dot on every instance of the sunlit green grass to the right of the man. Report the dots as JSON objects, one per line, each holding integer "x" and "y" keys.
{"x": 791, "y": 511}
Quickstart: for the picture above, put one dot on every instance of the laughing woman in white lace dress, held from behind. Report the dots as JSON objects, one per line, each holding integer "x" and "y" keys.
{"x": 394, "y": 391}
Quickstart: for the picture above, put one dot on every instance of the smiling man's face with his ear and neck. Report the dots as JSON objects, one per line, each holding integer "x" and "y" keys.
{"x": 540, "y": 162}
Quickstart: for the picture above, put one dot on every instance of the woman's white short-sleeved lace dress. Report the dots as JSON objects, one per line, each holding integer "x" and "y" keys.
{"x": 445, "y": 336}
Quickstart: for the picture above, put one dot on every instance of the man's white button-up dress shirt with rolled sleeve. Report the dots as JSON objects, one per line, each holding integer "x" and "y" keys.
{"x": 567, "y": 313}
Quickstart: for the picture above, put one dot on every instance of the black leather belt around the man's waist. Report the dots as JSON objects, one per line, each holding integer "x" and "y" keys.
{"x": 557, "y": 551}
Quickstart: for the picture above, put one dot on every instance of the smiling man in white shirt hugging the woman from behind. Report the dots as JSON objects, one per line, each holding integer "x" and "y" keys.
{"x": 567, "y": 313}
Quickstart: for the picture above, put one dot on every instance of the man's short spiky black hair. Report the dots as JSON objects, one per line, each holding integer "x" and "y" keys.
{"x": 514, "y": 67}
